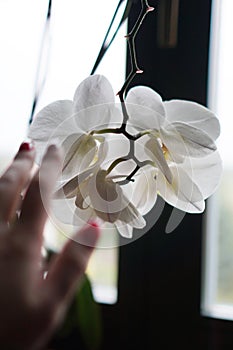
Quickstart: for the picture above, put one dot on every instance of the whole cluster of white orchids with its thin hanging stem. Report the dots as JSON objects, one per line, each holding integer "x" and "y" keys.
{"x": 118, "y": 157}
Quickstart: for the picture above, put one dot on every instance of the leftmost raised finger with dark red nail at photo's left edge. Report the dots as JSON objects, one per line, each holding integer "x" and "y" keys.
{"x": 13, "y": 181}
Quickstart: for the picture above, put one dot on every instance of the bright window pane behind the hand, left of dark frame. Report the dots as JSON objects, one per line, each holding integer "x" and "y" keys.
{"x": 75, "y": 36}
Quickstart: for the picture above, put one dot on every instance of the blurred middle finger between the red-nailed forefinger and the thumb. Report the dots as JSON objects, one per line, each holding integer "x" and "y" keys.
{"x": 37, "y": 199}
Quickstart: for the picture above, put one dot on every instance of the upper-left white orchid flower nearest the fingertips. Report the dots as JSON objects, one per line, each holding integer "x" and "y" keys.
{"x": 69, "y": 123}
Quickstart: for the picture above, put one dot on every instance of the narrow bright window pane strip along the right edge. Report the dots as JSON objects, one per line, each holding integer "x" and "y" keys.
{"x": 218, "y": 283}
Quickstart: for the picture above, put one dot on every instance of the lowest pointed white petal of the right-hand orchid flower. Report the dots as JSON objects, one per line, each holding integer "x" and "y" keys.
{"x": 183, "y": 193}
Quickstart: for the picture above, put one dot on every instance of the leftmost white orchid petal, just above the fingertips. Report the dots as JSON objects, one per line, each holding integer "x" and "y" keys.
{"x": 51, "y": 124}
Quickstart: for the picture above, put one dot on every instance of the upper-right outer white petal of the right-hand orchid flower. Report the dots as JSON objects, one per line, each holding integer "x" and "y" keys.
{"x": 194, "y": 114}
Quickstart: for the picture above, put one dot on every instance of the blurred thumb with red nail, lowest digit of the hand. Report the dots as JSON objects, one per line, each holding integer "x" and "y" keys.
{"x": 66, "y": 271}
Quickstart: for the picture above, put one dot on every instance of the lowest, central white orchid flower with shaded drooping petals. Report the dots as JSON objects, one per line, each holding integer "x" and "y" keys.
{"x": 96, "y": 194}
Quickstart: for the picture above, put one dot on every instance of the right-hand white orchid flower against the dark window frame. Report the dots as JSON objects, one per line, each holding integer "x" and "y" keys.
{"x": 180, "y": 140}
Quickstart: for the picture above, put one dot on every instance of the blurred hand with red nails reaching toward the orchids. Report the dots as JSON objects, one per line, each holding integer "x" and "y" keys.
{"x": 31, "y": 306}
